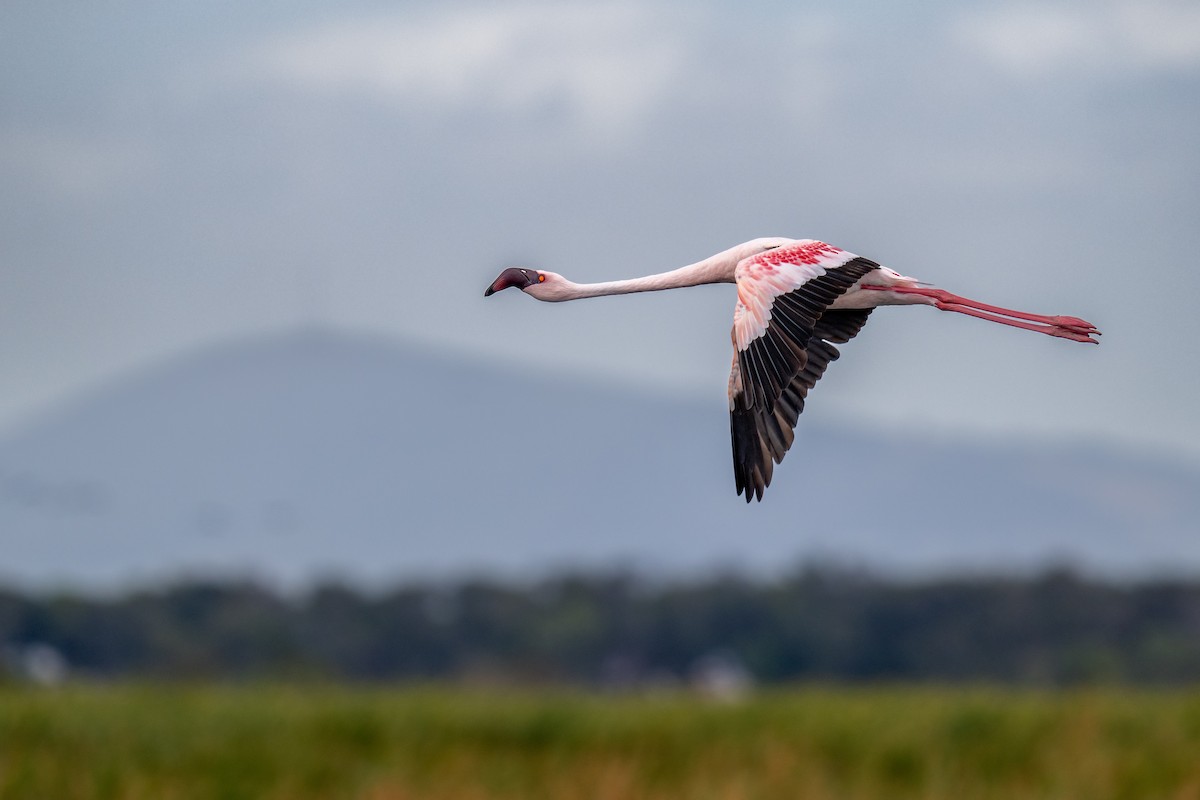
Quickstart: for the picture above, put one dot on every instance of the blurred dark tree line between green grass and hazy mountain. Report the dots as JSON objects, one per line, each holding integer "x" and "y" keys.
{"x": 616, "y": 629}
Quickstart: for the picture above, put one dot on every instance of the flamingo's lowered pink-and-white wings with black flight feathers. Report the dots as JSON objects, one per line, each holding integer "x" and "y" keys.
{"x": 783, "y": 338}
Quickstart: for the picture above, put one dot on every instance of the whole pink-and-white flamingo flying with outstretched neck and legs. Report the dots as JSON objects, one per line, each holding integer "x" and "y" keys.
{"x": 797, "y": 299}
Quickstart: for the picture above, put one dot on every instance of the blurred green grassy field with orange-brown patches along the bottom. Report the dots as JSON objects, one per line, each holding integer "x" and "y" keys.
{"x": 440, "y": 744}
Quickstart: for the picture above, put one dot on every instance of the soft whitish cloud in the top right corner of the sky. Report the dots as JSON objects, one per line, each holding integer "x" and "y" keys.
{"x": 1119, "y": 37}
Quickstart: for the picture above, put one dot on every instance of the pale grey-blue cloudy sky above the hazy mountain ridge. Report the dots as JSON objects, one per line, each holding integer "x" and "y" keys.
{"x": 177, "y": 173}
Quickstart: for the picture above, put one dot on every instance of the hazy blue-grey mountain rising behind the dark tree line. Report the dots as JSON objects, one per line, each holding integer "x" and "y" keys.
{"x": 321, "y": 454}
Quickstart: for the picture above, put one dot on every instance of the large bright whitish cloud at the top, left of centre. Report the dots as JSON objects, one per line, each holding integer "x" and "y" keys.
{"x": 604, "y": 64}
